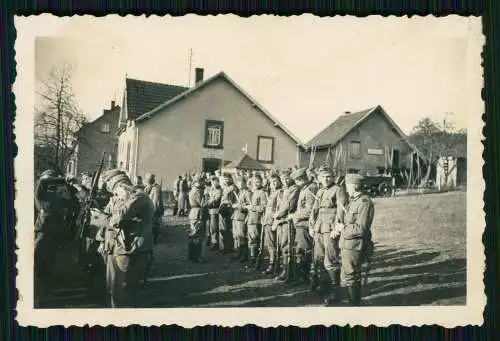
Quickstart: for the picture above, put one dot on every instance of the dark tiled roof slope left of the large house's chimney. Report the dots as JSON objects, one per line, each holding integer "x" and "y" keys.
{"x": 143, "y": 96}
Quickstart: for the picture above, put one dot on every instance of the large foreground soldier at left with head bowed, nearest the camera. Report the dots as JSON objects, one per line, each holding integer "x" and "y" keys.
{"x": 131, "y": 225}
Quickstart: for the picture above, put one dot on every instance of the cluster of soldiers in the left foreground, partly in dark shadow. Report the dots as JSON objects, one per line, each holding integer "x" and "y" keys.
{"x": 114, "y": 225}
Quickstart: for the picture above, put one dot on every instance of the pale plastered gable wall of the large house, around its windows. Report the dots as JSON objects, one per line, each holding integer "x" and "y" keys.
{"x": 171, "y": 141}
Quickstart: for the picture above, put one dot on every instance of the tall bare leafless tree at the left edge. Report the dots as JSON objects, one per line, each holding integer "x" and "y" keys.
{"x": 57, "y": 120}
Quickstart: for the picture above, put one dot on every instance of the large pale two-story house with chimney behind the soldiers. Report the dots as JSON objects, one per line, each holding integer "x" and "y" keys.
{"x": 200, "y": 128}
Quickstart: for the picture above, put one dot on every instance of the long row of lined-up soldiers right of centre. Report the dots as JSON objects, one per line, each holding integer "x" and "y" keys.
{"x": 316, "y": 227}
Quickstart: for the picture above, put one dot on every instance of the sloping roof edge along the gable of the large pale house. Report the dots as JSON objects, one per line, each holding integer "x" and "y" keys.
{"x": 200, "y": 85}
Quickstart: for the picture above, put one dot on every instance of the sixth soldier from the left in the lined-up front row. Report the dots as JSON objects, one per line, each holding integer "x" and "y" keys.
{"x": 268, "y": 221}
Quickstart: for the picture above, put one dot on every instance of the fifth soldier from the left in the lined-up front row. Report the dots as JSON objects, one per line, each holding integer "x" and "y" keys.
{"x": 258, "y": 202}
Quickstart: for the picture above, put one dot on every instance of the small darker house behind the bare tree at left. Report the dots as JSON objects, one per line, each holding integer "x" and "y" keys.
{"x": 94, "y": 138}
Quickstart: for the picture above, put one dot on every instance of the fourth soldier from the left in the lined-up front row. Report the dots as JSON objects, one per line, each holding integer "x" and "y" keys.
{"x": 240, "y": 213}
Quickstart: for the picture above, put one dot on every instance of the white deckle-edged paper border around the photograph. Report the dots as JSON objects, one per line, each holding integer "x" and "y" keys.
{"x": 28, "y": 28}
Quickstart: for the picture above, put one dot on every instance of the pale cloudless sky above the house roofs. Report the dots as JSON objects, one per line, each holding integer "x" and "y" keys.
{"x": 304, "y": 70}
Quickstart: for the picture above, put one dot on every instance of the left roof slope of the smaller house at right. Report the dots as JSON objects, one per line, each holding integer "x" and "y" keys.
{"x": 339, "y": 128}
